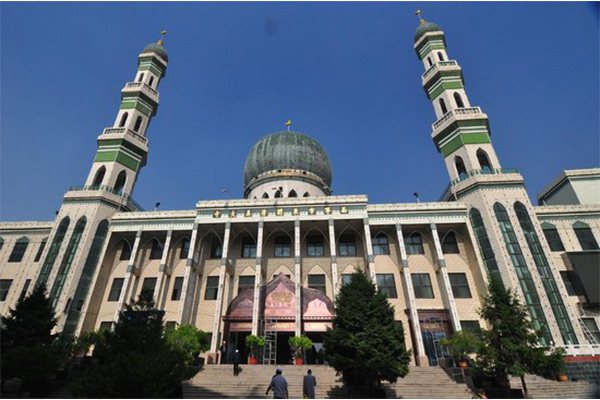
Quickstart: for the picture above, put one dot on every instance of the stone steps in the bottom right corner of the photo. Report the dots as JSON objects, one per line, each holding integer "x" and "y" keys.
{"x": 540, "y": 388}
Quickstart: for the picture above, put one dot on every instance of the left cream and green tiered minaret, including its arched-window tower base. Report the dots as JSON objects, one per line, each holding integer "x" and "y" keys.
{"x": 79, "y": 234}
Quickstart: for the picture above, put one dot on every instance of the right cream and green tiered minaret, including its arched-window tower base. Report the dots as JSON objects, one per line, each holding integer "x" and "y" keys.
{"x": 503, "y": 222}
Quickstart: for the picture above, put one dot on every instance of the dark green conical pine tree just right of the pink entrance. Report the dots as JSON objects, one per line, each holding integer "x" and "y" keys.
{"x": 366, "y": 344}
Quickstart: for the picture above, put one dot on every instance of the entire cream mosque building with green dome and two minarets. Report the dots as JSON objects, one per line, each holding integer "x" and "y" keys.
{"x": 272, "y": 262}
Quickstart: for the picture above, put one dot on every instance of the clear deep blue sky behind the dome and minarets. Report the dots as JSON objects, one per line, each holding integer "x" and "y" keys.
{"x": 345, "y": 73}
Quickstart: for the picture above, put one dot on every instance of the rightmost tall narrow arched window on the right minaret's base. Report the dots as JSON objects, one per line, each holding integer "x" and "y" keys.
{"x": 541, "y": 262}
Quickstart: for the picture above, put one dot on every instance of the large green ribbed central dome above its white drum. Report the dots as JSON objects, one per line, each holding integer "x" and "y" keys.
{"x": 287, "y": 150}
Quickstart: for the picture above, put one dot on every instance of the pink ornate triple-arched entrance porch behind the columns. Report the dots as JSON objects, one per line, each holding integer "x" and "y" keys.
{"x": 277, "y": 319}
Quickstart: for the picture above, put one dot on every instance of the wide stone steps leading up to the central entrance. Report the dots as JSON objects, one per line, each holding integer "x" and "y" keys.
{"x": 217, "y": 381}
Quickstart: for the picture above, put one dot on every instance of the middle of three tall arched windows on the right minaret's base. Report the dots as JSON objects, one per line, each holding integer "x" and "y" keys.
{"x": 526, "y": 282}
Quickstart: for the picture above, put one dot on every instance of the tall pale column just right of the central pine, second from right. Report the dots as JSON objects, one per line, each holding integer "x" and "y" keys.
{"x": 419, "y": 348}
